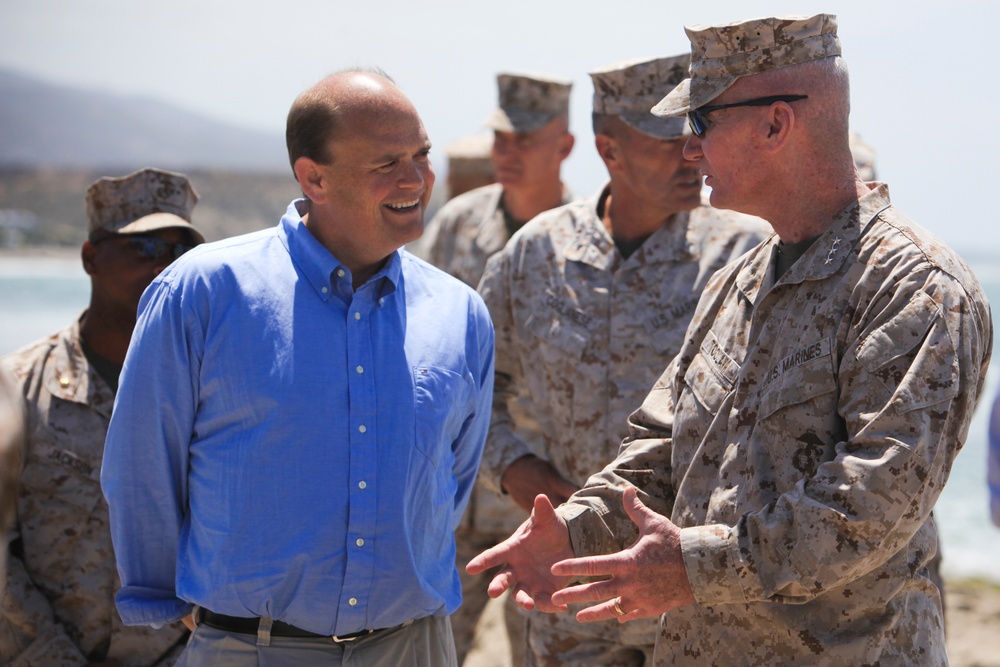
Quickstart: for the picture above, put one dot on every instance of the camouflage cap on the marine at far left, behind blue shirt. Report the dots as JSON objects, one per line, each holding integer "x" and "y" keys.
{"x": 143, "y": 201}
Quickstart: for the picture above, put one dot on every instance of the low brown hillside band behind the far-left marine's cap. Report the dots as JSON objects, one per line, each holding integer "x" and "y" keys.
{"x": 231, "y": 202}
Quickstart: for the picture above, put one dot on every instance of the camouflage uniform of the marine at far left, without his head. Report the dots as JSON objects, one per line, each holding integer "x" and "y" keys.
{"x": 58, "y": 608}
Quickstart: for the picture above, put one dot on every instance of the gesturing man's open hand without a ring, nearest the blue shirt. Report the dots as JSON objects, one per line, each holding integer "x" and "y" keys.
{"x": 528, "y": 555}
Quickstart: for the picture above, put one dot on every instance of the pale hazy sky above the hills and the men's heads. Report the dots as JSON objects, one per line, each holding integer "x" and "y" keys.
{"x": 924, "y": 75}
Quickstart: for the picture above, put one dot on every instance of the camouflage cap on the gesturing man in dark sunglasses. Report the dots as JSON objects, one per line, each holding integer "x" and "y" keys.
{"x": 722, "y": 54}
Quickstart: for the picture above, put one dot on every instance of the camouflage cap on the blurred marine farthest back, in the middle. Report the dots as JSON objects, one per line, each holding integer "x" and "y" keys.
{"x": 528, "y": 101}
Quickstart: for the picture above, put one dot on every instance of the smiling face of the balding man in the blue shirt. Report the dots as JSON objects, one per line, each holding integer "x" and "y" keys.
{"x": 381, "y": 178}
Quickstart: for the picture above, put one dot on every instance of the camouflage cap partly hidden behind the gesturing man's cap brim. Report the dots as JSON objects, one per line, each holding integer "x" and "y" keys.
{"x": 629, "y": 89}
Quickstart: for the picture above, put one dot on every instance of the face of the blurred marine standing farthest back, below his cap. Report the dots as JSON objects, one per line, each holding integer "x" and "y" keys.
{"x": 522, "y": 158}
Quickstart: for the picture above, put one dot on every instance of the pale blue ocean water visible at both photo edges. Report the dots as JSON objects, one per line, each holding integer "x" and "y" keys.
{"x": 39, "y": 296}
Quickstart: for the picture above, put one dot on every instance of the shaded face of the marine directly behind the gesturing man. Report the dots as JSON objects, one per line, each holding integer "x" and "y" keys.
{"x": 657, "y": 171}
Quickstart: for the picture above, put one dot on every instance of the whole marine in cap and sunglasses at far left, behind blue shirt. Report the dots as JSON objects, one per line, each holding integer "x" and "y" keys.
{"x": 59, "y": 608}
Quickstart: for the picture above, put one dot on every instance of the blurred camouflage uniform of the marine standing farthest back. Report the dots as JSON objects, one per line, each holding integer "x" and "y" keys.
{"x": 465, "y": 233}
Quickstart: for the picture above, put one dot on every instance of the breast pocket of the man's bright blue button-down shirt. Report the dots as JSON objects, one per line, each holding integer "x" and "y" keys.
{"x": 443, "y": 400}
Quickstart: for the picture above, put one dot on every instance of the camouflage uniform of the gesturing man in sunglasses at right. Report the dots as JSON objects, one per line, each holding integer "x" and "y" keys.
{"x": 800, "y": 440}
